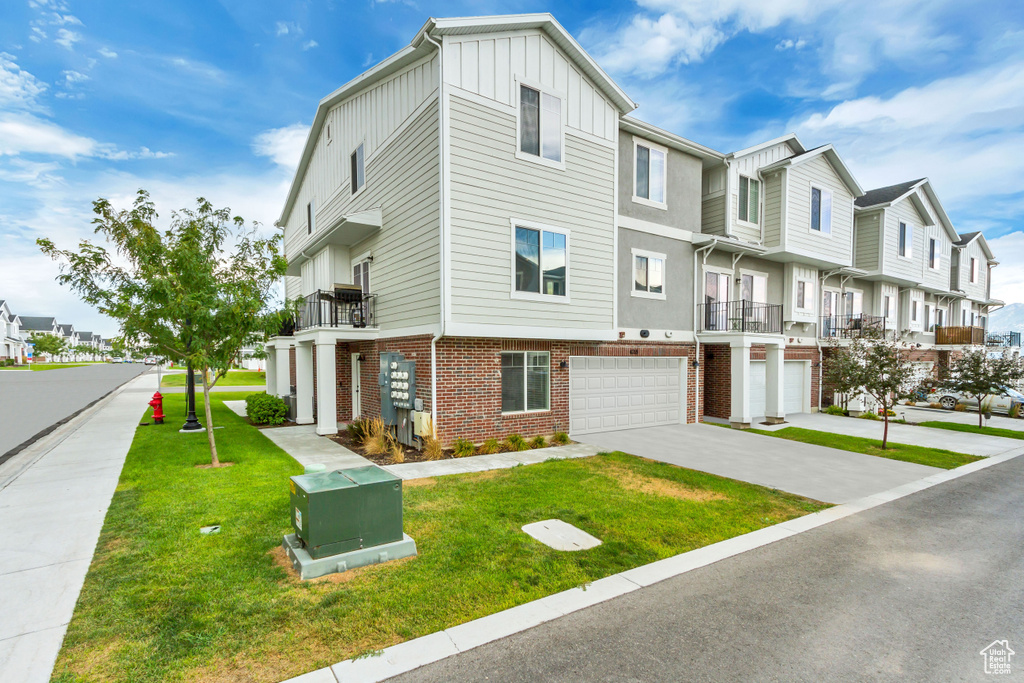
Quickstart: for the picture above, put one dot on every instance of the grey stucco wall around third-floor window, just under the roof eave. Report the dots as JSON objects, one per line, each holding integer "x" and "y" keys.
{"x": 682, "y": 188}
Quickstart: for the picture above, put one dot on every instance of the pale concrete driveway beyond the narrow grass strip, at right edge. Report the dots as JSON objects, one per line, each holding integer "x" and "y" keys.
{"x": 975, "y": 445}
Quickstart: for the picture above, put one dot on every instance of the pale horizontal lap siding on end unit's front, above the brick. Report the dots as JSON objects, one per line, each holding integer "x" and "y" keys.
{"x": 490, "y": 187}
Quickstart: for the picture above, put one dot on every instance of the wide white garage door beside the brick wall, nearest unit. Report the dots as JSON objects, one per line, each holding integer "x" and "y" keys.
{"x": 609, "y": 394}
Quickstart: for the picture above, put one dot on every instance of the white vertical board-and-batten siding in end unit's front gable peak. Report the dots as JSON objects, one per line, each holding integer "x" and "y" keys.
{"x": 489, "y": 65}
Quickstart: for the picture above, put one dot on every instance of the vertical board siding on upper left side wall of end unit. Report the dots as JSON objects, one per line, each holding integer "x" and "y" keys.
{"x": 373, "y": 118}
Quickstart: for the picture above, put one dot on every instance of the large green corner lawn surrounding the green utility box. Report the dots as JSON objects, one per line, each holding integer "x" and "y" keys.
{"x": 161, "y": 603}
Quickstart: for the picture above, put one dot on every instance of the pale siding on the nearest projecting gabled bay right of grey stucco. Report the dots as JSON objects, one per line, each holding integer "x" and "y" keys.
{"x": 800, "y": 239}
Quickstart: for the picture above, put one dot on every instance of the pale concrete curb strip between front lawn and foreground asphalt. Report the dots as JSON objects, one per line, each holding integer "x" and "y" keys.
{"x": 412, "y": 655}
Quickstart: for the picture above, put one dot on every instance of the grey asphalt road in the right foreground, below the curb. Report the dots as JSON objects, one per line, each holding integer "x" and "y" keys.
{"x": 909, "y": 591}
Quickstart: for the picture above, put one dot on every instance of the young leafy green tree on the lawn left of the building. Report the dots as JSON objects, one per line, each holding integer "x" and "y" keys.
{"x": 196, "y": 291}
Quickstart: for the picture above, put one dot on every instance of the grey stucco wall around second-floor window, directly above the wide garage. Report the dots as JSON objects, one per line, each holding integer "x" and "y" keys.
{"x": 676, "y": 311}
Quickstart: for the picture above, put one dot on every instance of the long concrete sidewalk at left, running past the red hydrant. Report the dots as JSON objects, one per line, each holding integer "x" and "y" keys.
{"x": 54, "y": 499}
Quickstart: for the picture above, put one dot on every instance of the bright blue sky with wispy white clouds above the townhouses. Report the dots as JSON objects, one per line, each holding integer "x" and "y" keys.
{"x": 208, "y": 99}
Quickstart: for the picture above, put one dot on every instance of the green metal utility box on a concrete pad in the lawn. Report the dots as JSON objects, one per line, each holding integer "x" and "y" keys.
{"x": 345, "y": 510}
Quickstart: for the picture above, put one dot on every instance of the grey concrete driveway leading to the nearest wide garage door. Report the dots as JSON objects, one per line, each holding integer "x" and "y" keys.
{"x": 815, "y": 472}
